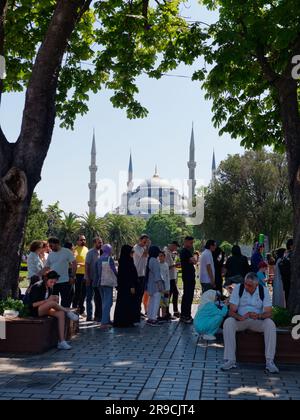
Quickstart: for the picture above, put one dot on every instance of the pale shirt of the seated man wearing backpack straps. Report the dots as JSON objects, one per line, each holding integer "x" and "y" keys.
{"x": 250, "y": 303}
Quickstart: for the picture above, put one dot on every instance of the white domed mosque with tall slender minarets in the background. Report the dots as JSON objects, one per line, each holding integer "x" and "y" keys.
{"x": 154, "y": 195}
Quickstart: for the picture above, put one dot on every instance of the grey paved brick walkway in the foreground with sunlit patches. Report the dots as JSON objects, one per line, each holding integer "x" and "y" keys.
{"x": 145, "y": 363}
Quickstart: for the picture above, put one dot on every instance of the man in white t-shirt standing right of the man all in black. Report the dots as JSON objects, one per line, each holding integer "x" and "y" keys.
{"x": 207, "y": 267}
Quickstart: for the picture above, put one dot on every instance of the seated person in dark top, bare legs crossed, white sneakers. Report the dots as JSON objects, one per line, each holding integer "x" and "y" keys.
{"x": 42, "y": 303}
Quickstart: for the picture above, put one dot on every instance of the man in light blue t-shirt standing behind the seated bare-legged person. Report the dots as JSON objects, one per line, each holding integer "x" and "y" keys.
{"x": 59, "y": 260}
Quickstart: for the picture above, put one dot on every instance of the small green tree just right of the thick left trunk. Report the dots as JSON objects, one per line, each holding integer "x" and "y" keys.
{"x": 36, "y": 225}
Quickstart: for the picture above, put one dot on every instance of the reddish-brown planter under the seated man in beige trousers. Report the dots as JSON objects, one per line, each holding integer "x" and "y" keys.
{"x": 251, "y": 347}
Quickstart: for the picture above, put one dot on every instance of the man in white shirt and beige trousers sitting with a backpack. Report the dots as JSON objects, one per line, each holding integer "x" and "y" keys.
{"x": 250, "y": 309}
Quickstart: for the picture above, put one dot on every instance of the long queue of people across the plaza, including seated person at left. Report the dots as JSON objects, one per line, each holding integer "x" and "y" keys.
{"x": 145, "y": 277}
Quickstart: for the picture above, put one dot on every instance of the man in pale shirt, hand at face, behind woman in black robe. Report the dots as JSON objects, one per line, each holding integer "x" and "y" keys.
{"x": 140, "y": 257}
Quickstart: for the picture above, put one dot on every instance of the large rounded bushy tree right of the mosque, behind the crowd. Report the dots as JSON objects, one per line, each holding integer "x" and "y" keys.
{"x": 250, "y": 196}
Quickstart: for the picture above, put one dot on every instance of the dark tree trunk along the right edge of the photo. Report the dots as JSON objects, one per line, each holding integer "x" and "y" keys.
{"x": 291, "y": 126}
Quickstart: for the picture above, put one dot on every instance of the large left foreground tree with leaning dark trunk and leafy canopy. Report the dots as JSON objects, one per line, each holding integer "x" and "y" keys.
{"x": 49, "y": 46}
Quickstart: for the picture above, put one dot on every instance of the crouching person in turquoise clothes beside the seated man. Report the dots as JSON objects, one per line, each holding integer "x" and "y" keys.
{"x": 210, "y": 315}
